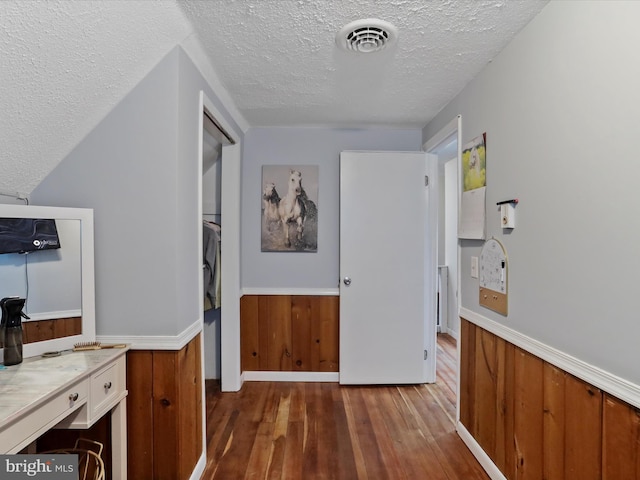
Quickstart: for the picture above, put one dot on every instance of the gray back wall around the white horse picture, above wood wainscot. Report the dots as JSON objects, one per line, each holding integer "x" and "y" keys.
{"x": 304, "y": 146}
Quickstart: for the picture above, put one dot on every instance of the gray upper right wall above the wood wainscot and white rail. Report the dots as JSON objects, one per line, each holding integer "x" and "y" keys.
{"x": 559, "y": 106}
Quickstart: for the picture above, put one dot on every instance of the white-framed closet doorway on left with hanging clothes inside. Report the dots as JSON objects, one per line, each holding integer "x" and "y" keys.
{"x": 218, "y": 158}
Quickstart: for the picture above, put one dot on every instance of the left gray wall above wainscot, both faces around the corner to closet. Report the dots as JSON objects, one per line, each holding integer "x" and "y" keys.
{"x": 138, "y": 171}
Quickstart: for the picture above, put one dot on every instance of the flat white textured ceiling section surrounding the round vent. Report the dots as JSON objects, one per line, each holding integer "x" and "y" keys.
{"x": 279, "y": 61}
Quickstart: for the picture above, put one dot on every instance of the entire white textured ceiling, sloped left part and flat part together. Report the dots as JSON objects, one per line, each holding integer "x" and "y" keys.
{"x": 66, "y": 64}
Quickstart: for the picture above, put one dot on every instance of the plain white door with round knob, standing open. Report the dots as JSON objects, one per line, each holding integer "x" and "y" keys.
{"x": 388, "y": 268}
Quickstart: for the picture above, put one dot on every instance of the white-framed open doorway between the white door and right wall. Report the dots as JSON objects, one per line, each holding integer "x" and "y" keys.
{"x": 446, "y": 146}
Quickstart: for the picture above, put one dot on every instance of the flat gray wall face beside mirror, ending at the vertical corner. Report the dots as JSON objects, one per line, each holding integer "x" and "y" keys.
{"x": 125, "y": 170}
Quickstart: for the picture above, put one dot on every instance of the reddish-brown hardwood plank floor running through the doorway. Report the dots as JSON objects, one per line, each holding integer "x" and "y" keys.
{"x": 327, "y": 431}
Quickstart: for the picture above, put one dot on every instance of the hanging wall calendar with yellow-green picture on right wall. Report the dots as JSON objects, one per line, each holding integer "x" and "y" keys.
{"x": 474, "y": 187}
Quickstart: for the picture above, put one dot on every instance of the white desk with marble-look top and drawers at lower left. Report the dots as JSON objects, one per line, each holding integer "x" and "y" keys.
{"x": 73, "y": 390}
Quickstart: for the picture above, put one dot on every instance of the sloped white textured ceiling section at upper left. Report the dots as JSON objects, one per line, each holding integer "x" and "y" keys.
{"x": 65, "y": 65}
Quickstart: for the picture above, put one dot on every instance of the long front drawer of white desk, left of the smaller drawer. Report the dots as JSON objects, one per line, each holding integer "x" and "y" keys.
{"x": 43, "y": 417}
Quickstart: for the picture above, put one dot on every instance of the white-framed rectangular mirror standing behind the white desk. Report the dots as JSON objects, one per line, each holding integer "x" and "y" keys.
{"x": 58, "y": 284}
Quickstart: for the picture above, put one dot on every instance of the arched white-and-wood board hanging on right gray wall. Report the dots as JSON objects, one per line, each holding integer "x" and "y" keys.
{"x": 494, "y": 271}
